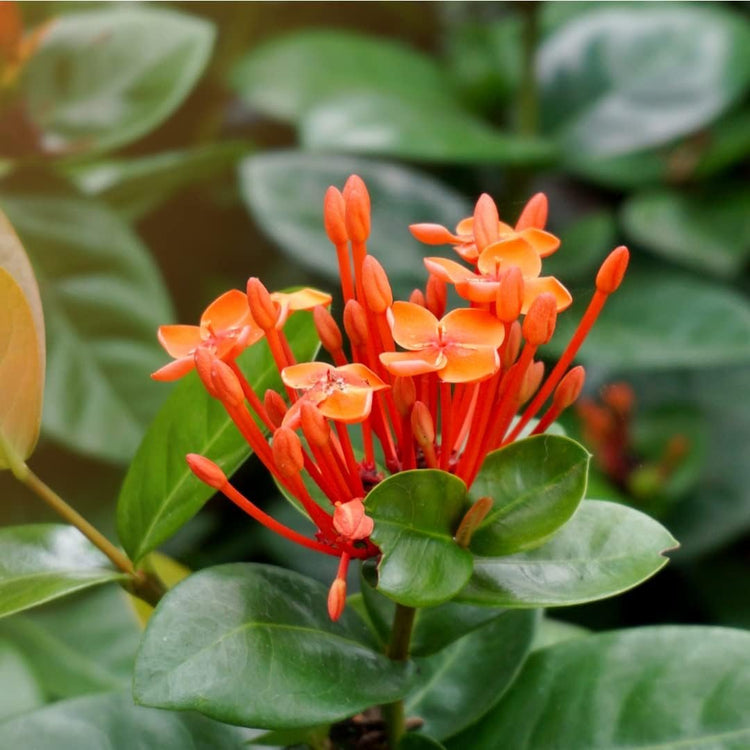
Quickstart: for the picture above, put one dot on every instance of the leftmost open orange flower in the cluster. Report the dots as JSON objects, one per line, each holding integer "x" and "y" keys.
{"x": 226, "y": 329}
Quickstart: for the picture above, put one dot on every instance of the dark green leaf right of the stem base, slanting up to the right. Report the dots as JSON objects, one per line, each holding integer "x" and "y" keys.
{"x": 461, "y": 683}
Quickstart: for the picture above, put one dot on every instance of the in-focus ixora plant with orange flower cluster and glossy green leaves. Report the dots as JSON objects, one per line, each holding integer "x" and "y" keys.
{"x": 426, "y": 449}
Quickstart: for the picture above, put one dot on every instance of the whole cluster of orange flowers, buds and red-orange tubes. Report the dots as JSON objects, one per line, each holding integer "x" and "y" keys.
{"x": 429, "y": 388}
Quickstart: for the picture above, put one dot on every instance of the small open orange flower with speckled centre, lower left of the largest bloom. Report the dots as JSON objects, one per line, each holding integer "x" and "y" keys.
{"x": 343, "y": 394}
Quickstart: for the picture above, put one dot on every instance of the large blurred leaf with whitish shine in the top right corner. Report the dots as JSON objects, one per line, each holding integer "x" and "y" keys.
{"x": 618, "y": 80}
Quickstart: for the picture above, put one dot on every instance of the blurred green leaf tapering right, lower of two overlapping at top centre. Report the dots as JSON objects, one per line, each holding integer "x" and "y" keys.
{"x": 406, "y": 128}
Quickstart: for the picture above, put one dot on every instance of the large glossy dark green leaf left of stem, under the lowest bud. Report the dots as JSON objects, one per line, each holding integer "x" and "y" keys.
{"x": 253, "y": 645}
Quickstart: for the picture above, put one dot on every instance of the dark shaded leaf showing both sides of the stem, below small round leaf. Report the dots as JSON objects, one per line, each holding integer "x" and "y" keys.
{"x": 434, "y": 627}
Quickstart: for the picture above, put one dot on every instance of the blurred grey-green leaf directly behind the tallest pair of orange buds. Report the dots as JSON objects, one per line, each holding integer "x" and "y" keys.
{"x": 284, "y": 192}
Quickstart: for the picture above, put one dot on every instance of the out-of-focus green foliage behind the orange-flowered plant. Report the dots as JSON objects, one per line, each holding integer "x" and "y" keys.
{"x": 153, "y": 155}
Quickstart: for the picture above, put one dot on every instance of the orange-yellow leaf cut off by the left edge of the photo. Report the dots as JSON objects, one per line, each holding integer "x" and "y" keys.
{"x": 21, "y": 375}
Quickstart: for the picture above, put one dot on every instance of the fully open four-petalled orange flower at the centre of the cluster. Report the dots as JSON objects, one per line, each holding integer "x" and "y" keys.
{"x": 461, "y": 347}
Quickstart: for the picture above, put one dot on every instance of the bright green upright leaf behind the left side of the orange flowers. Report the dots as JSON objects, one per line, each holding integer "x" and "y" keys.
{"x": 160, "y": 493}
